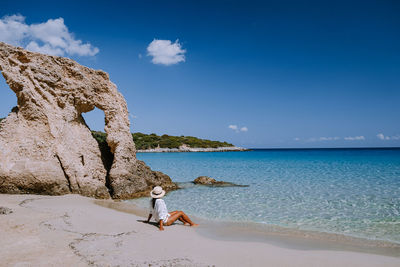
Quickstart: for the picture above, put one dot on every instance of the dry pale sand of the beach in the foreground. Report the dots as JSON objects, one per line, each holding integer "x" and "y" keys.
{"x": 72, "y": 230}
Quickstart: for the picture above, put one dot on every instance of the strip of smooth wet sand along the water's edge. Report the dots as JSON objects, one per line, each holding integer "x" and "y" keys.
{"x": 277, "y": 235}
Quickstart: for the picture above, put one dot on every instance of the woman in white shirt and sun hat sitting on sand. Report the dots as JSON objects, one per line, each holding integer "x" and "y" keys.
{"x": 160, "y": 212}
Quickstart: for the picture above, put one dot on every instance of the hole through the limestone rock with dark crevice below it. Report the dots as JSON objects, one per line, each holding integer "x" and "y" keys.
{"x": 95, "y": 121}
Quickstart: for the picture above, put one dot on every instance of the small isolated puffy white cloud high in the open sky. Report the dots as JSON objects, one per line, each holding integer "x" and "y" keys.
{"x": 165, "y": 52}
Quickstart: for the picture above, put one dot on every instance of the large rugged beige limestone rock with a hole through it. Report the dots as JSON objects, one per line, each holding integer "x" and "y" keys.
{"x": 45, "y": 144}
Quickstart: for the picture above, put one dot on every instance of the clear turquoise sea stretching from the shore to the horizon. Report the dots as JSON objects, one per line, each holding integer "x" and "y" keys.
{"x": 347, "y": 191}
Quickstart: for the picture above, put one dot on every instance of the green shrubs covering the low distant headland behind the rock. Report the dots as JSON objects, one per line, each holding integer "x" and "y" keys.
{"x": 146, "y": 141}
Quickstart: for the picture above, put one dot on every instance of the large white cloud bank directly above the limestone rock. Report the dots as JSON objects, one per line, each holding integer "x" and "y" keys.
{"x": 50, "y": 37}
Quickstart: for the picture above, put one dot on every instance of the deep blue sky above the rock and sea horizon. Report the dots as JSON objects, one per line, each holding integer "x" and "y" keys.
{"x": 291, "y": 73}
